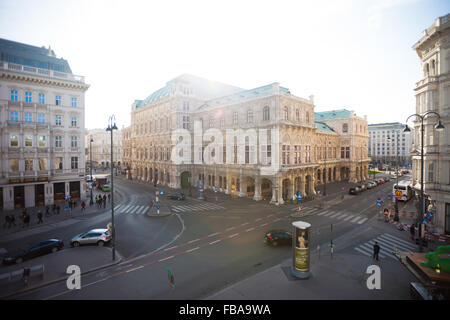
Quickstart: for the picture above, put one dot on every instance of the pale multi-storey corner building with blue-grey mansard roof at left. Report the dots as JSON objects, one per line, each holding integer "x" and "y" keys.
{"x": 41, "y": 127}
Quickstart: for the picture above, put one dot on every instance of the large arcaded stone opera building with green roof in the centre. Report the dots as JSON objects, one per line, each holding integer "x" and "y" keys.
{"x": 313, "y": 147}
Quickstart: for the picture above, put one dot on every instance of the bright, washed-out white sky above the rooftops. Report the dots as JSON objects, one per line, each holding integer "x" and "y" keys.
{"x": 352, "y": 54}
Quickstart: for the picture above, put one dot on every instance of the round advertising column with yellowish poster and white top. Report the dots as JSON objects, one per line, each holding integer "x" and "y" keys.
{"x": 300, "y": 245}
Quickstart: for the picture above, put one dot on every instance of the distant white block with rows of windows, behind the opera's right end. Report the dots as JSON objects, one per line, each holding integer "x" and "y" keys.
{"x": 388, "y": 144}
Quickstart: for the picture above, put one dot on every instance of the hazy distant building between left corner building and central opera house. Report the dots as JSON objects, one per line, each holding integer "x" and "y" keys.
{"x": 101, "y": 148}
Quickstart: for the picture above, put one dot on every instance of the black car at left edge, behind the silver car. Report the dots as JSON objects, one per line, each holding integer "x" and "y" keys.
{"x": 34, "y": 250}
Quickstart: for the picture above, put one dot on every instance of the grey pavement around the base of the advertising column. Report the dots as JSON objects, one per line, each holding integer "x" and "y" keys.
{"x": 342, "y": 277}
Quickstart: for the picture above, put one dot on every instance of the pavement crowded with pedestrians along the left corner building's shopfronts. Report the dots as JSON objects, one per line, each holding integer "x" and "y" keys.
{"x": 54, "y": 217}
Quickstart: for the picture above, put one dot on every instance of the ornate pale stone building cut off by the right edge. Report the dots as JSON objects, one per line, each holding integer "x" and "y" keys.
{"x": 433, "y": 94}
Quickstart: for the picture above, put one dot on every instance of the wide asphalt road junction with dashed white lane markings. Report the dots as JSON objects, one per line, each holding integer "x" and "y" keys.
{"x": 206, "y": 250}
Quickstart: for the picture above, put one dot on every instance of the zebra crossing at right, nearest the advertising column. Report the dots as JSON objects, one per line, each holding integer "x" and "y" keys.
{"x": 387, "y": 244}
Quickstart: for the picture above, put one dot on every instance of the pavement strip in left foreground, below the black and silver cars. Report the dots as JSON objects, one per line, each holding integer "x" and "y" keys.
{"x": 88, "y": 258}
